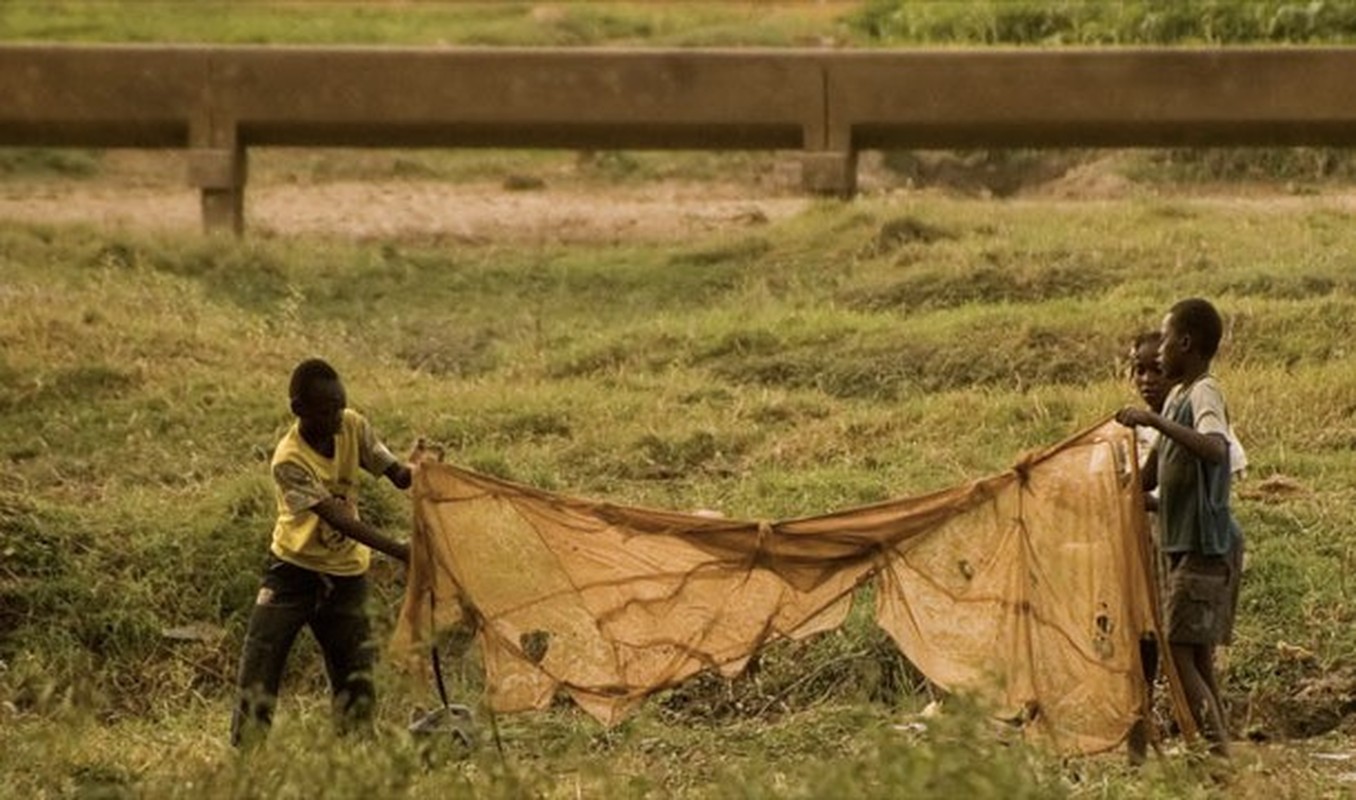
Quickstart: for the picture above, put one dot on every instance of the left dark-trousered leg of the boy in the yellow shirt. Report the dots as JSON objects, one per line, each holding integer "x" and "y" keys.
{"x": 283, "y": 607}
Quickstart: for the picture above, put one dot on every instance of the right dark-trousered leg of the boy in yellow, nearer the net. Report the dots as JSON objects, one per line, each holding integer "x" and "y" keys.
{"x": 344, "y": 631}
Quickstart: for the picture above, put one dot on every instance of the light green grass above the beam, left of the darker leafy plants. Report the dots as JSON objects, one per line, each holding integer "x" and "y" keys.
{"x": 429, "y": 24}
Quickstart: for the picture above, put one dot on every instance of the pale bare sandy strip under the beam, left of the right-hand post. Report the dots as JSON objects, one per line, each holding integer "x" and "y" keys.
{"x": 459, "y": 212}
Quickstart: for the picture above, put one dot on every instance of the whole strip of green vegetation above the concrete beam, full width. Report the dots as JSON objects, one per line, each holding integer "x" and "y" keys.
{"x": 756, "y": 24}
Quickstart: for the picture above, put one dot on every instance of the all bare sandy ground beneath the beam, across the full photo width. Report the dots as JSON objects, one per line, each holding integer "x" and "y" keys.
{"x": 151, "y": 195}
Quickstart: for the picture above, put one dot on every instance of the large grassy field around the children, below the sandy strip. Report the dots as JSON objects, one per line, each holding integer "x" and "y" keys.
{"x": 858, "y": 352}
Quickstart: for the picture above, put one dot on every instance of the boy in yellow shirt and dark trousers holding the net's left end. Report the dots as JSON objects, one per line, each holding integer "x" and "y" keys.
{"x": 318, "y": 562}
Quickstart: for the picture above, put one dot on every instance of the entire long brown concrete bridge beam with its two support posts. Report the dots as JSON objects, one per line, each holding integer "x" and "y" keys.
{"x": 218, "y": 102}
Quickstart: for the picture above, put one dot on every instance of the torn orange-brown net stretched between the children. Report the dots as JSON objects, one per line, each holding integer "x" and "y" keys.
{"x": 1027, "y": 589}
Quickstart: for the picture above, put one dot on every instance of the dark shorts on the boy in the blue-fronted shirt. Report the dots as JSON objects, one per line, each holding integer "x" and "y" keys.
{"x": 1203, "y": 597}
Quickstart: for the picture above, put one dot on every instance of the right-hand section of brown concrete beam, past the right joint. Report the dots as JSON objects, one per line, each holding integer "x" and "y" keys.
{"x": 1087, "y": 98}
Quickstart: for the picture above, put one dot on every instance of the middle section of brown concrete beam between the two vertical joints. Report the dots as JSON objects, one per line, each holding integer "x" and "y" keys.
{"x": 521, "y": 98}
